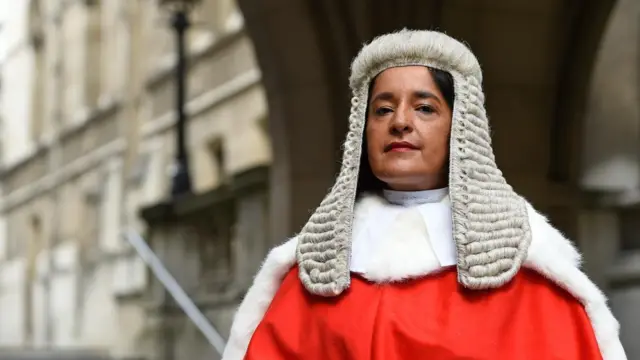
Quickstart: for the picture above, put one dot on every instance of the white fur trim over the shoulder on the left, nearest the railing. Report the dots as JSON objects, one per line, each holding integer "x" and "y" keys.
{"x": 255, "y": 304}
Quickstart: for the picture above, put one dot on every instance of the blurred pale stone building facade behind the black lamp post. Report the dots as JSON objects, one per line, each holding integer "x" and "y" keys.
{"x": 87, "y": 124}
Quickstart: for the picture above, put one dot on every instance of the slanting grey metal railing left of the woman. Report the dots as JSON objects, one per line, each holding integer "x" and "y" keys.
{"x": 176, "y": 291}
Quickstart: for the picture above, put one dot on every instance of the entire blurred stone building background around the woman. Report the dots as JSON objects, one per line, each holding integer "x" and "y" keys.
{"x": 206, "y": 131}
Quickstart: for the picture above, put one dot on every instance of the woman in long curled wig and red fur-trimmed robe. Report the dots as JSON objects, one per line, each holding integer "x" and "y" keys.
{"x": 418, "y": 250}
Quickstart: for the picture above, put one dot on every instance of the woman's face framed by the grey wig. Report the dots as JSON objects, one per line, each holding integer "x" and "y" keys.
{"x": 408, "y": 127}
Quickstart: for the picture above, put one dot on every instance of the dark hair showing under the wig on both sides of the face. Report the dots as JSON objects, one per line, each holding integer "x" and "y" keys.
{"x": 367, "y": 181}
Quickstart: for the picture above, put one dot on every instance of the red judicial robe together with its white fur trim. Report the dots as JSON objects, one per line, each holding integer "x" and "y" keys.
{"x": 403, "y": 304}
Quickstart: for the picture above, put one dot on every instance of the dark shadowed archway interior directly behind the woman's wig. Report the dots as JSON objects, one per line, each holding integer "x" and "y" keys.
{"x": 537, "y": 57}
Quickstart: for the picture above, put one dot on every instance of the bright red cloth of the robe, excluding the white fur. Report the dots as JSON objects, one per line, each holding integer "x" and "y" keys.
{"x": 427, "y": 318}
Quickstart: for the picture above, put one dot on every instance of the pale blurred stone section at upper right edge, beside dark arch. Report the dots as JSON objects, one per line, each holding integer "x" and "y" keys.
{"x": 611, "y": 134}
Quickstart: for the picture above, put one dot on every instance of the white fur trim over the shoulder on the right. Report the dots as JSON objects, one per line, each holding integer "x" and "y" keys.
{"x": 554, "y": 256}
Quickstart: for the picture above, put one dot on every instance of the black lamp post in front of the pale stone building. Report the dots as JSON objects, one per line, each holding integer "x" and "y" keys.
{"x": 179, "y": 9}
